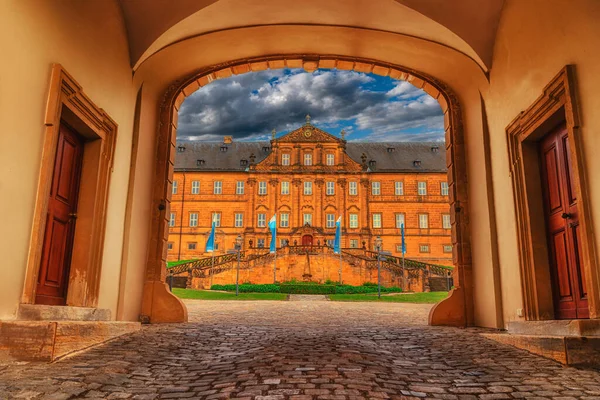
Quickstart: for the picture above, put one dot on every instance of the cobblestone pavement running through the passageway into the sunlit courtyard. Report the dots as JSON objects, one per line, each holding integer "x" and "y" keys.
{"x": 301, "y": 350}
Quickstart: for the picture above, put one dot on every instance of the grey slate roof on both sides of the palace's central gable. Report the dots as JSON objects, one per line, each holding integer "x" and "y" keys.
{"x": 401, "y": 159}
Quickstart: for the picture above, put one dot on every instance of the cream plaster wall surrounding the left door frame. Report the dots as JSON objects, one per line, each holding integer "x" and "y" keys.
{"x": 88, "y": 38}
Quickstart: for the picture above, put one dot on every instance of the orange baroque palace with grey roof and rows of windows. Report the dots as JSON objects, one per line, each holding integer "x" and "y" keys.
{"x": 309, "y": 178}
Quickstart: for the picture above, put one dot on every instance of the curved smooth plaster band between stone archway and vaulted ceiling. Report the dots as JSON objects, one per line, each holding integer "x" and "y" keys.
{"x": 185, "y": 58}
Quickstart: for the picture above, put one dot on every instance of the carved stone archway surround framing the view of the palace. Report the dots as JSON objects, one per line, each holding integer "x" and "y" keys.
{"x": 456, "y": 310}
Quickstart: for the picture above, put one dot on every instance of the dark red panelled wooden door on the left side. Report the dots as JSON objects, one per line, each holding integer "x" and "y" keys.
{"x": 60, "y": 224}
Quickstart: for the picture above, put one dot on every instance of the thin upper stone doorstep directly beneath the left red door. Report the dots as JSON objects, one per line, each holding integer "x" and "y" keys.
{"x": 39, "y": 312}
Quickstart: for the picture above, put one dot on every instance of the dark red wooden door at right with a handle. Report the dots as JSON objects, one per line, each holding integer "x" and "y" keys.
{"x": 564, "y": 233}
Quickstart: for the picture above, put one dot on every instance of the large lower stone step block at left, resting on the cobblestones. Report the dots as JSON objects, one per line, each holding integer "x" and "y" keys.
{"x": 51, "y": 340}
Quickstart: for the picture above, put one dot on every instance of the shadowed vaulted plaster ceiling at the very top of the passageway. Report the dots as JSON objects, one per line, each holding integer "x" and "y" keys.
{"x": 467, "y": 26}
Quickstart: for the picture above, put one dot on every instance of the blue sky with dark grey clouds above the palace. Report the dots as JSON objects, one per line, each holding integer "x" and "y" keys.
{"x": 368, "y": 107}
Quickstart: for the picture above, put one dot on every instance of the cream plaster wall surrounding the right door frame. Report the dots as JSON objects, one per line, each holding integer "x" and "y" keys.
{"x": 535, "y": 40}
